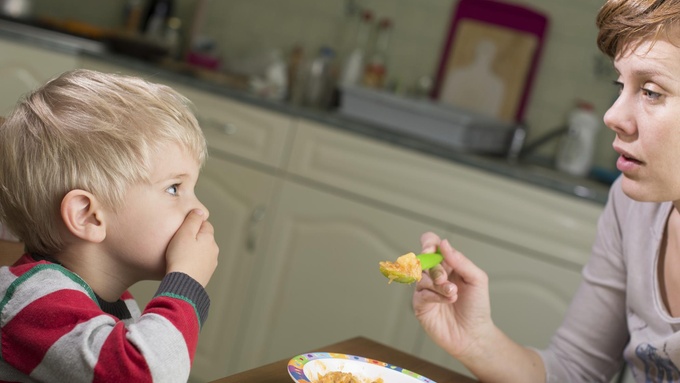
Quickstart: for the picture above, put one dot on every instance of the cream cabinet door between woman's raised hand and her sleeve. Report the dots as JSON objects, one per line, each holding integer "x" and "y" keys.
{"x": 529, "y": 297}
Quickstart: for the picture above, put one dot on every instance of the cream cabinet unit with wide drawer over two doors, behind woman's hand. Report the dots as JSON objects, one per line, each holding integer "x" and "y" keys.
{"x": 515, "y": 232}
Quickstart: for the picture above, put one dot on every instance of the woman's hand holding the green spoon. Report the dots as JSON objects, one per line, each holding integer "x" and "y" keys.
{"x": 452, "y": 301}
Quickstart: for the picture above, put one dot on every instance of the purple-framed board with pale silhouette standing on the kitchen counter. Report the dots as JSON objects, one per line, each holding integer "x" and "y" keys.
{"x": 490, "y": 57}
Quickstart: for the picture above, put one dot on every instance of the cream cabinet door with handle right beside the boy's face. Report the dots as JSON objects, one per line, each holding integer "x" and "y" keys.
{"x": 238, "y": 199}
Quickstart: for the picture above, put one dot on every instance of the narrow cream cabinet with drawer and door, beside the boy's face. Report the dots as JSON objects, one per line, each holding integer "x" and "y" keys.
{"x": 238, "y": 185}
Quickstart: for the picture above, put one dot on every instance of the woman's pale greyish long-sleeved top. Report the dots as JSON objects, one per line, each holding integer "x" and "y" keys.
{"x": 618, "y": 312}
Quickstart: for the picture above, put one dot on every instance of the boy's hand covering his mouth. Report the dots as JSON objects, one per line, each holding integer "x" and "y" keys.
{"x": 193, "y": 249}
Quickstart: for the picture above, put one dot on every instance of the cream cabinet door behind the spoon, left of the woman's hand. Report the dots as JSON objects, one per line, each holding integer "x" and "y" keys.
{"x": 320, "y": 280}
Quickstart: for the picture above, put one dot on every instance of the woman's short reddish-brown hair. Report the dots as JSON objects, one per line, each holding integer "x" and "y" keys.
{"x": 624, "y": 24}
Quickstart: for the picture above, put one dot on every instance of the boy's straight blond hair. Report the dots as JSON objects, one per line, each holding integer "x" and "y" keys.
{"x": 85, "y": 130}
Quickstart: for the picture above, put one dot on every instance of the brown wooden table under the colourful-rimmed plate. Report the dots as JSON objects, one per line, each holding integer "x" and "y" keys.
{"x": 277, "y": 372}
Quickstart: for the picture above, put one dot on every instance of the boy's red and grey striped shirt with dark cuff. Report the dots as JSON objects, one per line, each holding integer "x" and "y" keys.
{"x": 53, "y": 327}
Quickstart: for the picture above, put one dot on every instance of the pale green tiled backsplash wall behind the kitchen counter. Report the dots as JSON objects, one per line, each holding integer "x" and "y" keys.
{"x": 568, "y": 70}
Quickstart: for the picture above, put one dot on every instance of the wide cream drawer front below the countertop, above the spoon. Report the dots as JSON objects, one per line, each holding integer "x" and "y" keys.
{"x": 467, "y": 200}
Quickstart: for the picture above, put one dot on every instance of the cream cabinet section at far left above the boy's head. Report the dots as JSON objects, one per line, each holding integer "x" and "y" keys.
{"x": 24, "y": 68}
